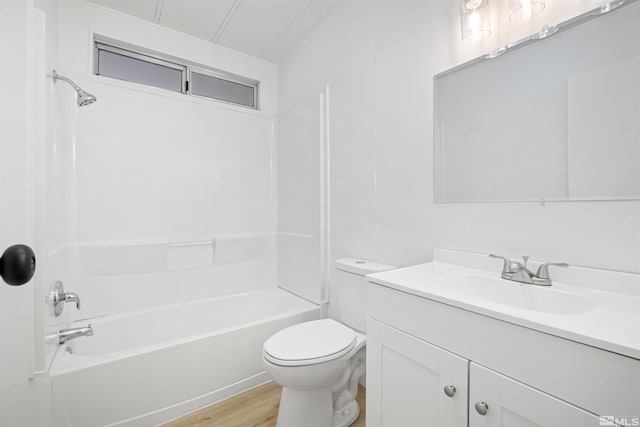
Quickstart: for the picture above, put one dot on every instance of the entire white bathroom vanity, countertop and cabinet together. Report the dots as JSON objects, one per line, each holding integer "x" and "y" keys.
{"x": 450, "y": 343}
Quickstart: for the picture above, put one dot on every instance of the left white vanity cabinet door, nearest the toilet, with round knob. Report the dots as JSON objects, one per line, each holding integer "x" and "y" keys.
{"x": 406, "y": 380}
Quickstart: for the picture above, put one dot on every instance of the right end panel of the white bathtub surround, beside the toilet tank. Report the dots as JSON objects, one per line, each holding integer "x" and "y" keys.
{"x": 303, "y": 197}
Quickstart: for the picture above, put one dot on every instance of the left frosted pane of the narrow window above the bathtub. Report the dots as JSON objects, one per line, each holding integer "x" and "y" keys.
{"x": 131, "y": 69}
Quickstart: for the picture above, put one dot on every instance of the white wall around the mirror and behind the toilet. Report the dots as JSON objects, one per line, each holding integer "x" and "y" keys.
{"x": 379, "y": 59}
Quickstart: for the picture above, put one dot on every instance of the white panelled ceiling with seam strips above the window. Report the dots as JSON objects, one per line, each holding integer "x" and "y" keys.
{"x": 267, "y": 29}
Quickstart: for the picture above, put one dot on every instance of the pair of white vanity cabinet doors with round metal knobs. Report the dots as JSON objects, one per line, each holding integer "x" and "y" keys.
{"x": 412, "y": 383}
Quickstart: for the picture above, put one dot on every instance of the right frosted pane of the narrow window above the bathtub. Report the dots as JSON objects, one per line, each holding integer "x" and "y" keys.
{"x": 223, "y": 90}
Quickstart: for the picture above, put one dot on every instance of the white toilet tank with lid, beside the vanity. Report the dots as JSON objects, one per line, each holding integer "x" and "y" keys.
{"x": 350, "y": 290}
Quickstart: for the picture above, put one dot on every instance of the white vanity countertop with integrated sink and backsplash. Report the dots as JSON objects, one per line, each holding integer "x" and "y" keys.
{"x": 592, "y": 315}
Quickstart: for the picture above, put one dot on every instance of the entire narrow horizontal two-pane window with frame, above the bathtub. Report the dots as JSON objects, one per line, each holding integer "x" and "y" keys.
{"x": 124, "y": 62}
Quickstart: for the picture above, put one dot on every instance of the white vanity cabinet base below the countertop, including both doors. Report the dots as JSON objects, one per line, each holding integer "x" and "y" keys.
{"x": 417, "y": 346}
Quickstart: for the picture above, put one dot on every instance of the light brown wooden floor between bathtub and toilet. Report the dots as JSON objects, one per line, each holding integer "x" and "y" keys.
{"x": 257, "y": 407}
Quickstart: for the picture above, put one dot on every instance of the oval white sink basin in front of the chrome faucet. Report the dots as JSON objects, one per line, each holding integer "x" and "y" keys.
{"x": 516, "y": 295}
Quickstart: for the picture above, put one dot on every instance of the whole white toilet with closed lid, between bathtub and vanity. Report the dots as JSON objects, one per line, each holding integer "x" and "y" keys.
{"x": 320, "y": 363}
